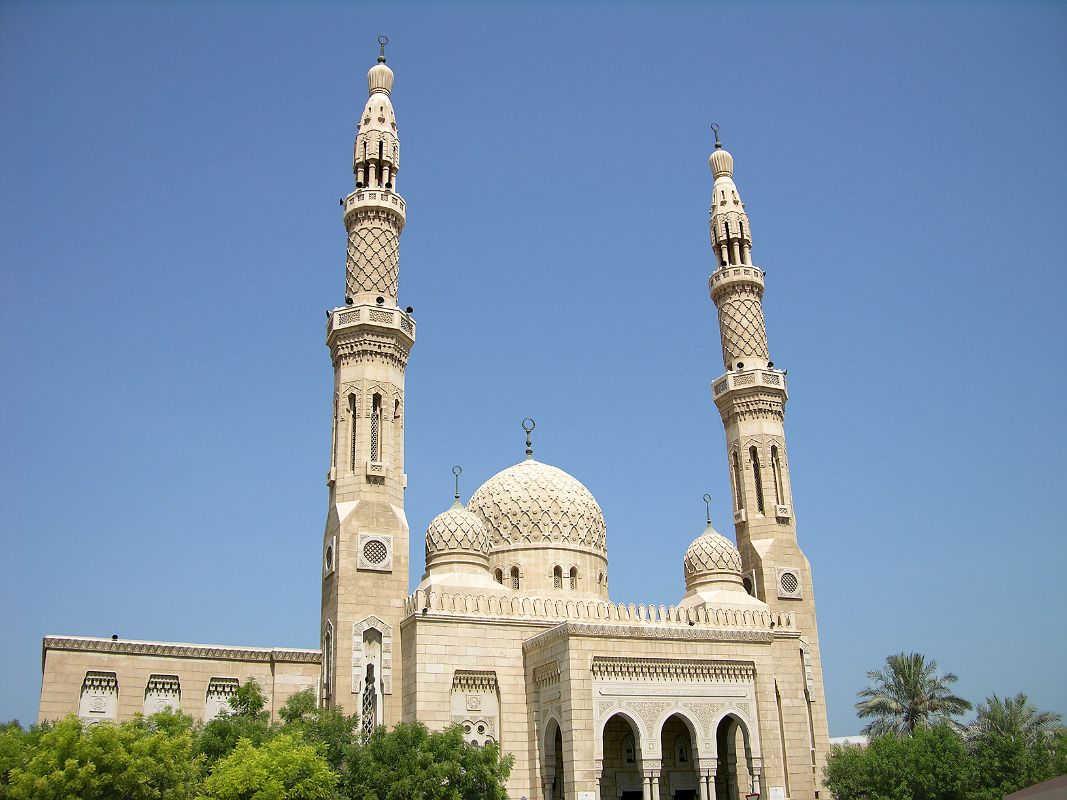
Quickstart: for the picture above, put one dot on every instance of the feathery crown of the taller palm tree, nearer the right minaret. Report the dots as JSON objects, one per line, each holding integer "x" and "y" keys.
{"x": 907, "y": 695}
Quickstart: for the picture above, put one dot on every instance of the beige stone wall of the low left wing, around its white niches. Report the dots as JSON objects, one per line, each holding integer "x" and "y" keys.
{"x": 66, "y": 667}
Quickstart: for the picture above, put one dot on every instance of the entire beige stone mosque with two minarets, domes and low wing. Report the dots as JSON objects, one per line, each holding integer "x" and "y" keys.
{"x": 512, "y": 633}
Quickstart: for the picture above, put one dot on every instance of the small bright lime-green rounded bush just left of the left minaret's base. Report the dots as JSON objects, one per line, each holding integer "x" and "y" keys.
{"x": 284, "y": 769}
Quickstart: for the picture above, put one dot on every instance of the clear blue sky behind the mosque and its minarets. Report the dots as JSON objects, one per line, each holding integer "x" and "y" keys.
{"x": 170, "y": 237}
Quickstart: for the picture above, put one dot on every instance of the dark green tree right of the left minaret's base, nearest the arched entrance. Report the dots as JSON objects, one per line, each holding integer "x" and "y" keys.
{"x": 410, "y": 763}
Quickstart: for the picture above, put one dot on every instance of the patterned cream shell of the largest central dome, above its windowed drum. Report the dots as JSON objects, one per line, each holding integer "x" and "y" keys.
{"x": 532, "y": 503}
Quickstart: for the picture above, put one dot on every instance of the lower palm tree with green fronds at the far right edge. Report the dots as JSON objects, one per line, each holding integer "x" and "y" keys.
{"x": 1015, "y": 746}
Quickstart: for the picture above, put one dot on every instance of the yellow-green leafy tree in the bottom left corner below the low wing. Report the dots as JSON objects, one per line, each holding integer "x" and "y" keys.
{"x": 135, "y": 761}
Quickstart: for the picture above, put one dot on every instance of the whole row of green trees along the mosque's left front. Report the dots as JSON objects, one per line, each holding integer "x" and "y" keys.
{"x": 313, "y": 755}
